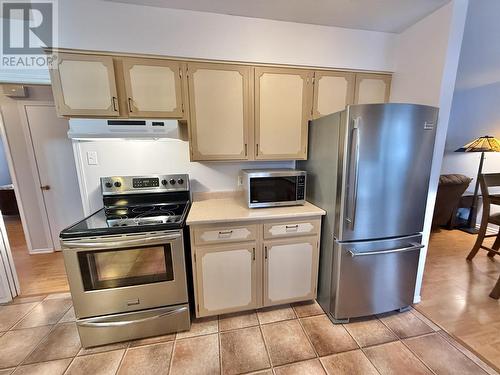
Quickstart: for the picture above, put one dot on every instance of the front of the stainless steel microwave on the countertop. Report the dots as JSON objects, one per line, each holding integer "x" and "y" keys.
{"x": 273, "y": 191}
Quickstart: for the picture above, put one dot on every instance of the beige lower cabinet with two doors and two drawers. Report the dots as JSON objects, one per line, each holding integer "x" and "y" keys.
{"x": 263, "y": 270}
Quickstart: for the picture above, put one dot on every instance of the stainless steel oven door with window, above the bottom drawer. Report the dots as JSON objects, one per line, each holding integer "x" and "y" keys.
{"x": 113, "y": 274}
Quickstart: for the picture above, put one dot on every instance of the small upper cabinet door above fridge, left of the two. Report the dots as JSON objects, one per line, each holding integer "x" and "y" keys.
{"x": 332, "y": 92}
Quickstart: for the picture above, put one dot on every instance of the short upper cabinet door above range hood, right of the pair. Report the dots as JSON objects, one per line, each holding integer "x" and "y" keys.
{"x": 153, "y": 88}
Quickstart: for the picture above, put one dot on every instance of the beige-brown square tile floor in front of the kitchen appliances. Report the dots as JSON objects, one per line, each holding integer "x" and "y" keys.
{"x": 38, "y": 336}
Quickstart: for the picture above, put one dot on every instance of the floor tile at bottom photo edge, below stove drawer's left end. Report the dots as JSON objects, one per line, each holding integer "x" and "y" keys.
{"x": 96, "y": 364}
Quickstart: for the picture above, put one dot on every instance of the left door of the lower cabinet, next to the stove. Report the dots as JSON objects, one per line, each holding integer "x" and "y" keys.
{"x": 226, "y": 278}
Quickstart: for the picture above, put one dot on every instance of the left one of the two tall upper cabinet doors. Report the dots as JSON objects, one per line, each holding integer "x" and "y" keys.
{"x": 219, "y": 105}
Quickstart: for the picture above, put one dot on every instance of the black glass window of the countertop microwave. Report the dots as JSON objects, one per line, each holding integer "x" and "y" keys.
{"x": 272, "y": 189}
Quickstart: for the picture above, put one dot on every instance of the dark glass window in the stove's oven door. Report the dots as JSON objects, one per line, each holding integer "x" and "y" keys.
{"x": 125, "y": 267}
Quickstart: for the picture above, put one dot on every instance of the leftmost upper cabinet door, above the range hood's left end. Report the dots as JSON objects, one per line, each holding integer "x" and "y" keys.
{"x": 84, "y": 85}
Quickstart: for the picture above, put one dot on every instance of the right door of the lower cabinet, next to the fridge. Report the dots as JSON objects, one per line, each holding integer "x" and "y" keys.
{"x": 290, "y": 270}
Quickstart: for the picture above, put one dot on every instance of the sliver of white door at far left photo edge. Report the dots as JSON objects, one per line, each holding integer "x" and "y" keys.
{"x": 9, "y": 285}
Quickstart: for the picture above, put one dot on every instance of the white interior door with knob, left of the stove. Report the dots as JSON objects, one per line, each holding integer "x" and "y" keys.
{"x": 53, "y": 166}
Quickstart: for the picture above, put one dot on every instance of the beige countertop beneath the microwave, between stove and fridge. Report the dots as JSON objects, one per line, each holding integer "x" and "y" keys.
{"x": 224, "y": 210}
